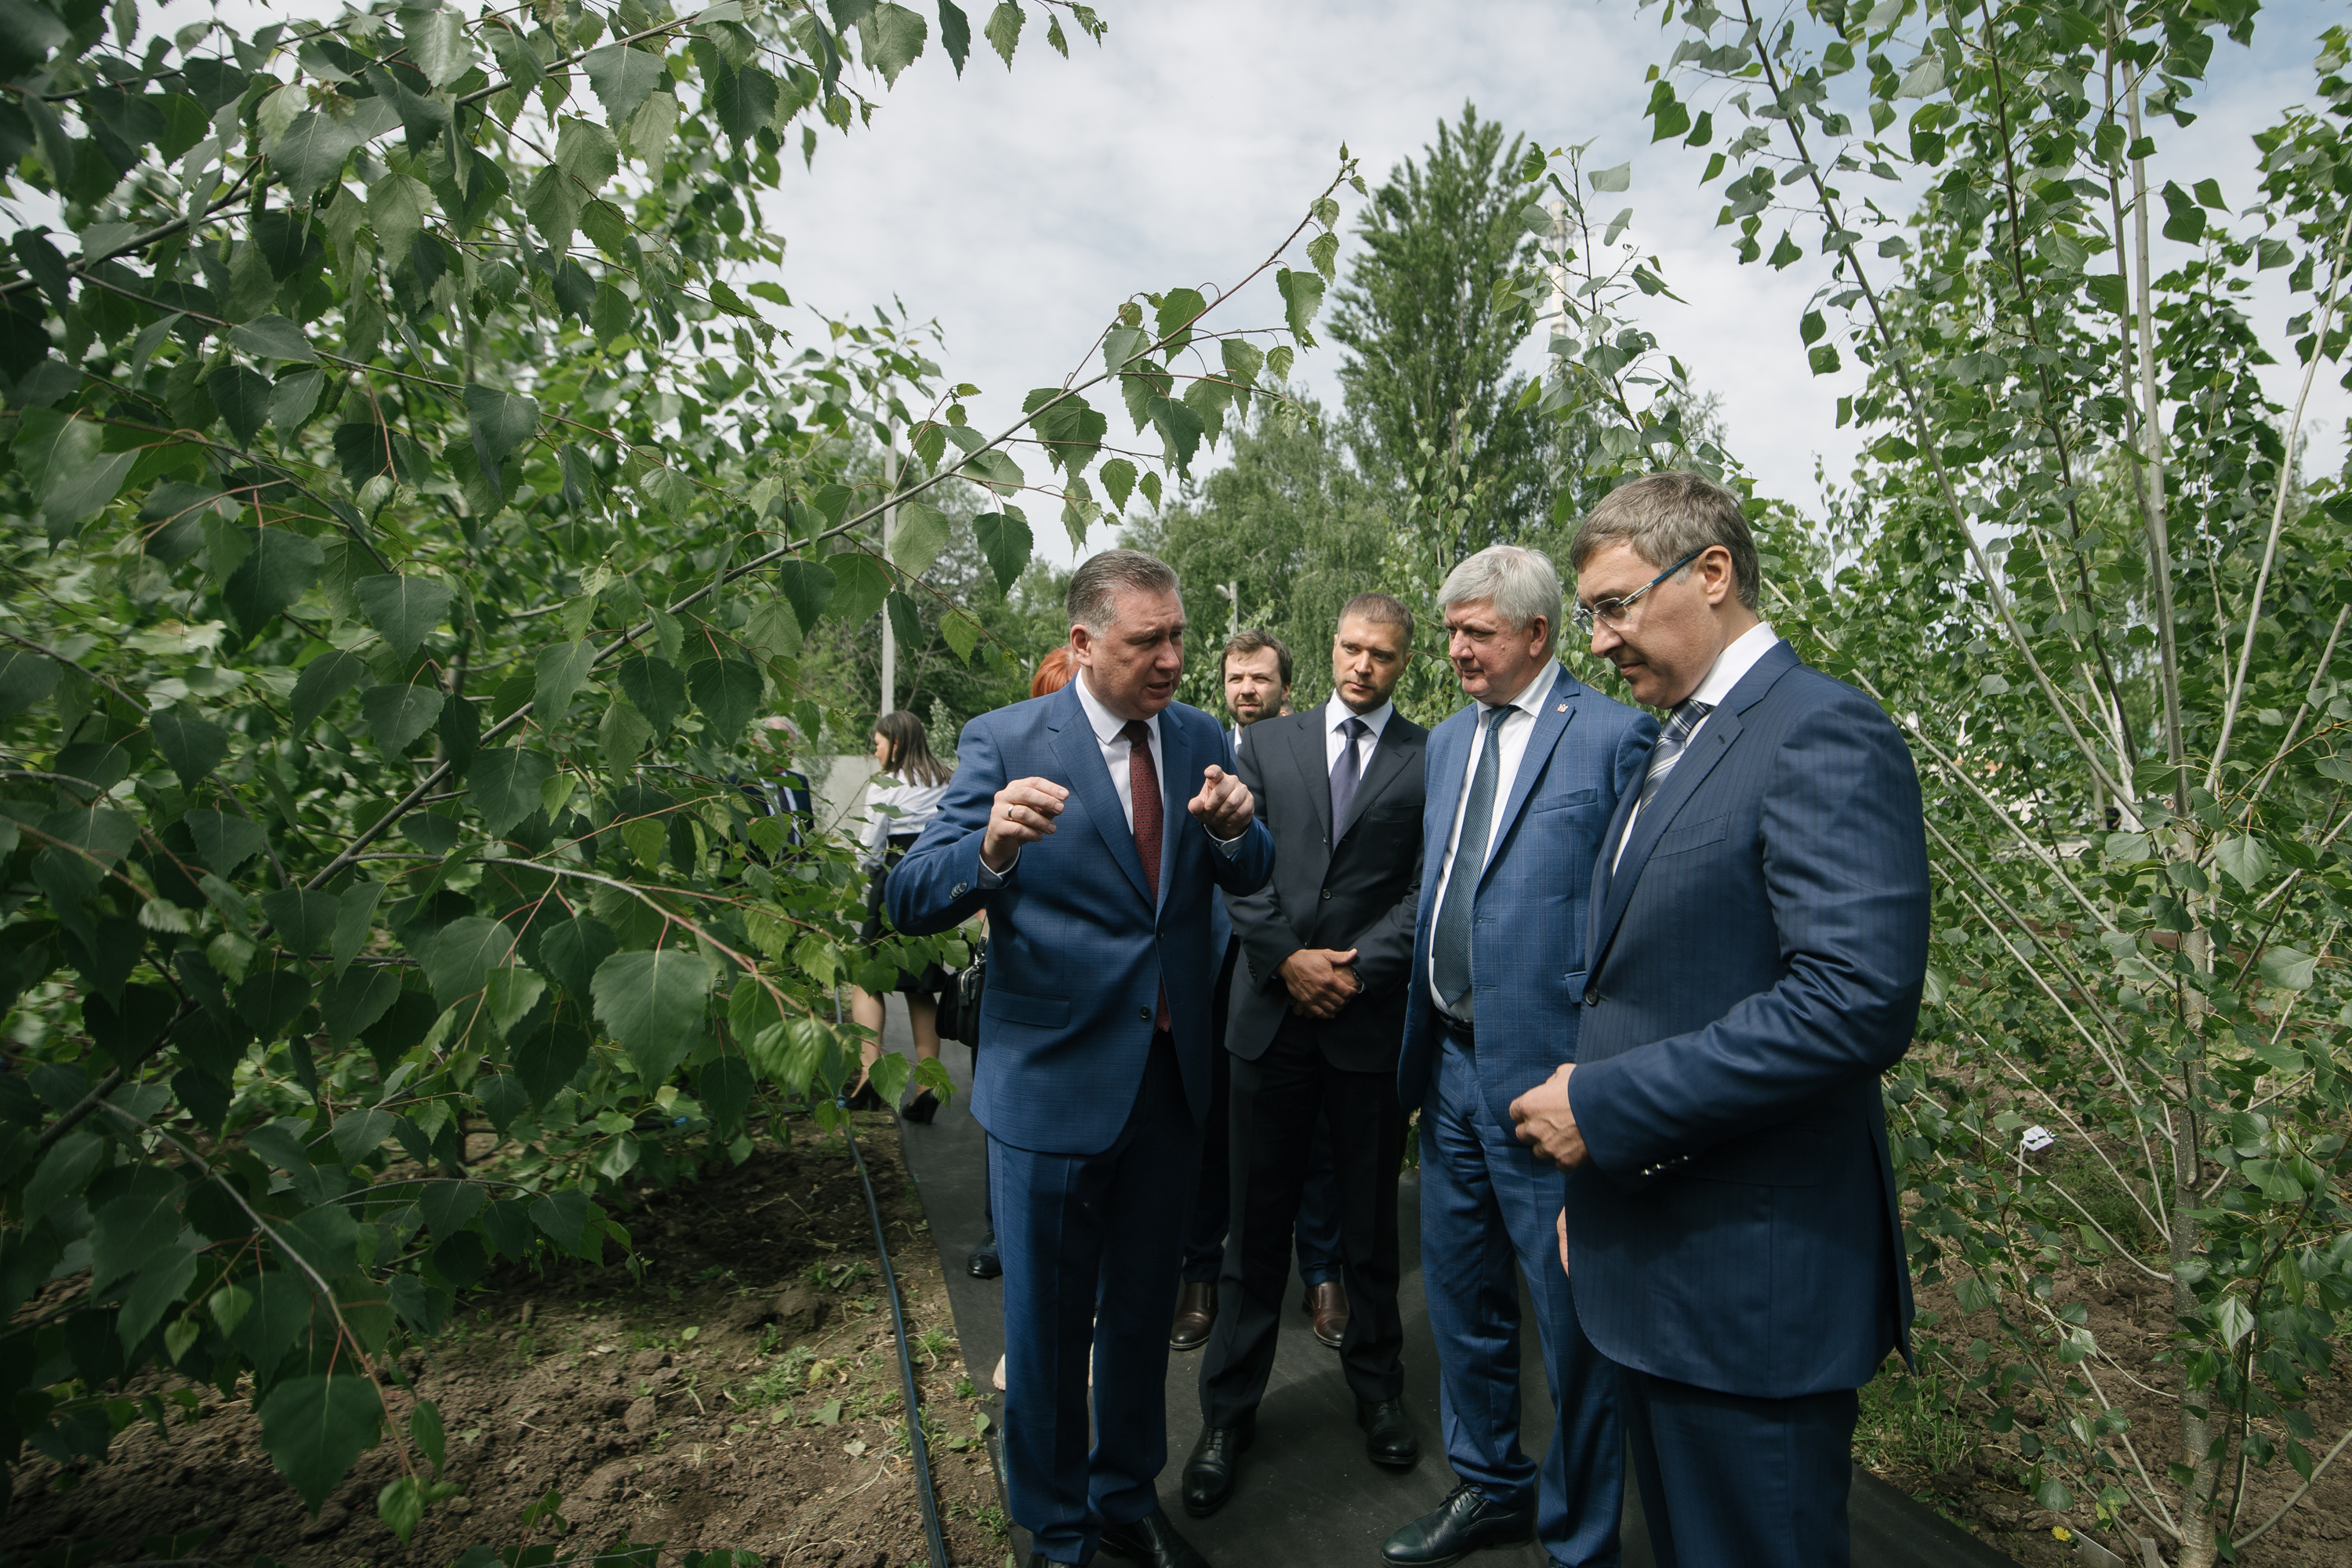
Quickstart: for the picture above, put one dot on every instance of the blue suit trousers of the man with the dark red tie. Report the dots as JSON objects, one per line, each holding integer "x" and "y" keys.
{"x": 1093, "y": 1247}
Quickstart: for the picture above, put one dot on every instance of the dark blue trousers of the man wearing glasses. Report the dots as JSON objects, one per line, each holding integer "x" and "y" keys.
{"x": 1742, "y": 1480}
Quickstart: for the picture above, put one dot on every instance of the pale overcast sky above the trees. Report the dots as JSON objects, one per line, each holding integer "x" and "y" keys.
{"x": 1022, "y": 208}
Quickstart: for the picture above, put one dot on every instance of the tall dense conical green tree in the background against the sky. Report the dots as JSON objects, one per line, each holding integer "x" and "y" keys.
{"x": 1431, "y": 323}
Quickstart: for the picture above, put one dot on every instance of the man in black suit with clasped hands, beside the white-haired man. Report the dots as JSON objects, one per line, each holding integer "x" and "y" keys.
{"x": 1318, "y": 1010}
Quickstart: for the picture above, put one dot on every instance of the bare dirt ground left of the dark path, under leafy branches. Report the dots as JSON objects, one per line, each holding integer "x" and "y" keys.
{"x": 744, "y": 1395}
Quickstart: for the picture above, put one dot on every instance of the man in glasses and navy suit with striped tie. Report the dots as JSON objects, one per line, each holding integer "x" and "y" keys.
{"x": 1756, "y": 960}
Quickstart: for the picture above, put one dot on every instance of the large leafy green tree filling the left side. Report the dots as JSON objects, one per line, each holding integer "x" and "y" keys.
{"x": 408, "y": 511}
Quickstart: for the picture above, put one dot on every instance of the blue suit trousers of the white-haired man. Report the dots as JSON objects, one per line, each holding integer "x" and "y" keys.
{"x": 1488, "y": 1214}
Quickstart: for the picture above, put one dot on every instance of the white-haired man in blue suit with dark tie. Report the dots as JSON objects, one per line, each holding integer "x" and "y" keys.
{"x": 1521, "y": 789}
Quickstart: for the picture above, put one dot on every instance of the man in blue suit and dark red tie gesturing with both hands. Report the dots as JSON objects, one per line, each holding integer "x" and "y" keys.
{"x": 1095, "y": 1038}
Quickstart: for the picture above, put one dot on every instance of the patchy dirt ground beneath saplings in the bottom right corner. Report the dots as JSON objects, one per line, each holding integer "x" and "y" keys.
{"x": 2130, "y": 1318}
